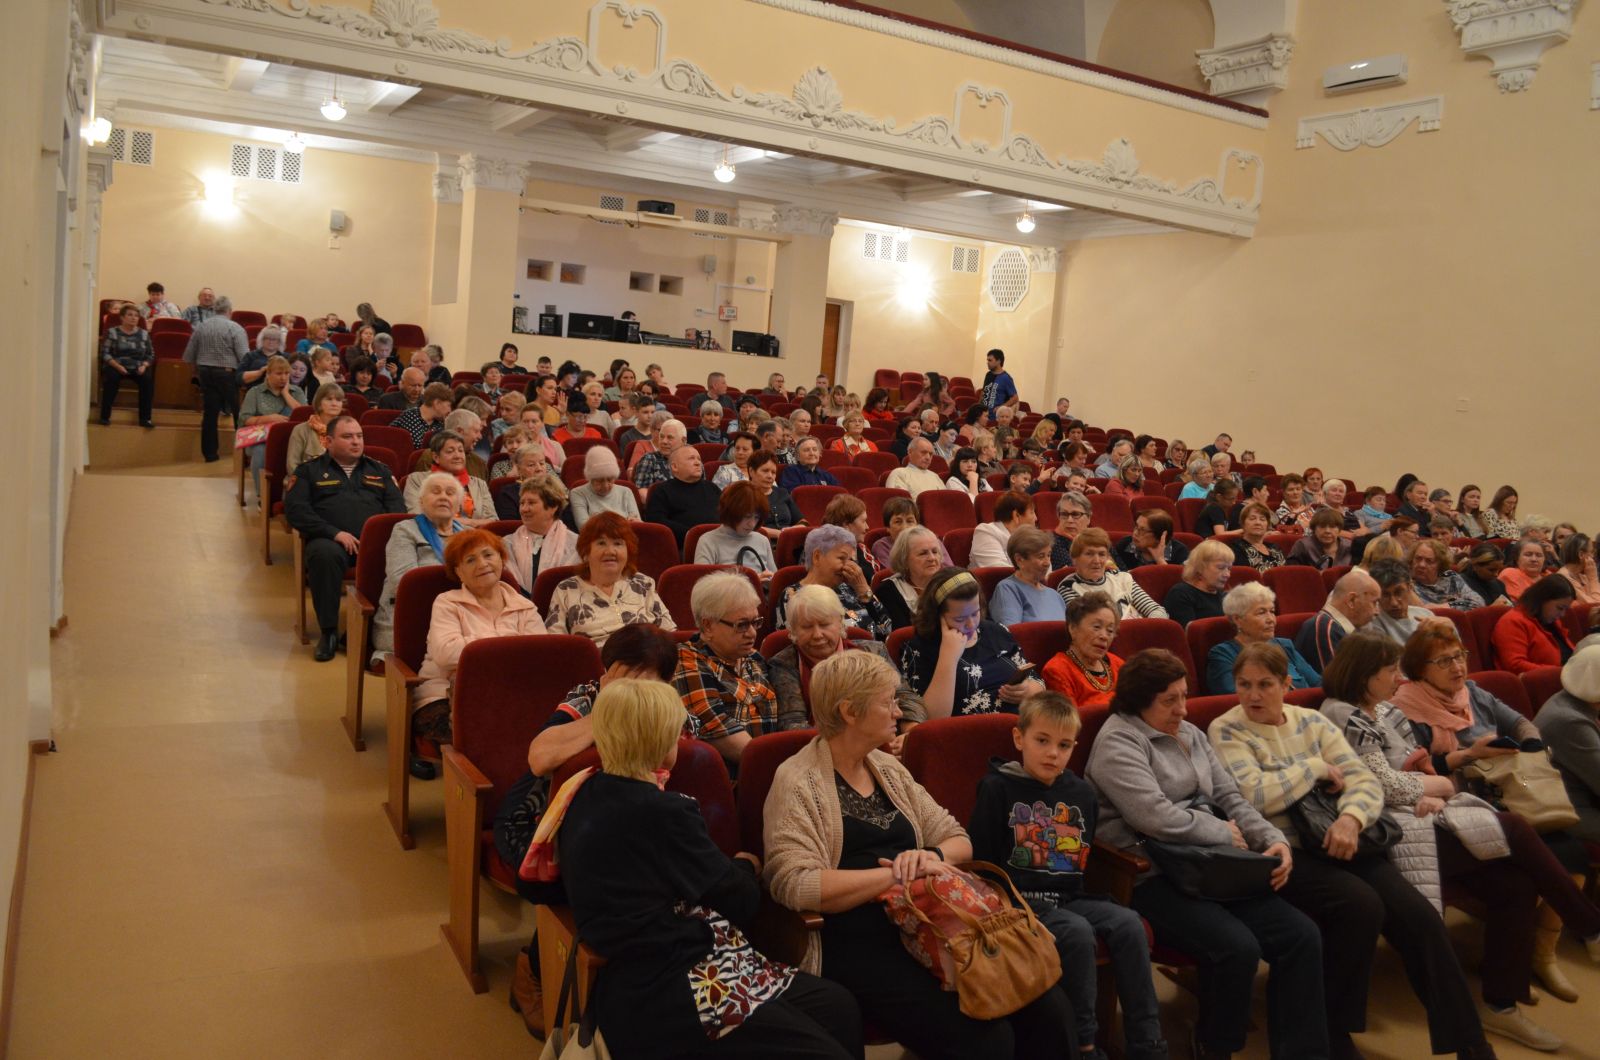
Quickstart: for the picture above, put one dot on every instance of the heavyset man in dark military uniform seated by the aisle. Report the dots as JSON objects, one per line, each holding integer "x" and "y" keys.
{"x": 330, "y": 500}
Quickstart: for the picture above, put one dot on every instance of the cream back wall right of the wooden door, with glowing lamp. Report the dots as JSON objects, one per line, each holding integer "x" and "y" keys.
{"x": 889, "y": 332}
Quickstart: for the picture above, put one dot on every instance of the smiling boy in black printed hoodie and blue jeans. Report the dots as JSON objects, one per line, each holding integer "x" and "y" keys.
{"x": 1038, "y": 821}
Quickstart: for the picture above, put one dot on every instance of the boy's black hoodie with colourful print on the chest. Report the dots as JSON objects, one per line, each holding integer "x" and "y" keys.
{"x": 1041, "y": 833}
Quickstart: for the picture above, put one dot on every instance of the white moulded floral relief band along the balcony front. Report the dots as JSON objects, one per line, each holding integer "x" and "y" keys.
{"x": 812, "y": 116}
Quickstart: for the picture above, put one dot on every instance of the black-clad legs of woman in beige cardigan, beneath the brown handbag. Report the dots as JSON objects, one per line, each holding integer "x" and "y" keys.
{"x": 902, "y": 998}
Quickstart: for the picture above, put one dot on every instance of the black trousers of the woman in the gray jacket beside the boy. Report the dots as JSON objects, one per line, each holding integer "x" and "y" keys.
{"x": 1230, "y": 942}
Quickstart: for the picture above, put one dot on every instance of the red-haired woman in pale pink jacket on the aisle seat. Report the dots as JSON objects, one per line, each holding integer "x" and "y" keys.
{"x": 482, "y": 608}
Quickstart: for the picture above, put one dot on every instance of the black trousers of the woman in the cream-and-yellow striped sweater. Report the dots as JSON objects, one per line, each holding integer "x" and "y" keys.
{"x": 1354, "y": 902}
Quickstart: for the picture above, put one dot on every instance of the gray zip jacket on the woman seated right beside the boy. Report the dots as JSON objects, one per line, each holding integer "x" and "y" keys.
{"x": 1148, "y": 779}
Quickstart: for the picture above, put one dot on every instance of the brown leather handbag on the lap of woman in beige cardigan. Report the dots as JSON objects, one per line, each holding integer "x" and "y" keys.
{"x": 1001, "y": 960}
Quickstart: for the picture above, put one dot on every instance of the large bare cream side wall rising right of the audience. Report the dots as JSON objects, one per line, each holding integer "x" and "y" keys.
{"x": 1383, "y": 287}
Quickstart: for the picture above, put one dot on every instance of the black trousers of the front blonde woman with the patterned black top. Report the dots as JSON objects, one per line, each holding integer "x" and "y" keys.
{"x": 812, "y": 1021}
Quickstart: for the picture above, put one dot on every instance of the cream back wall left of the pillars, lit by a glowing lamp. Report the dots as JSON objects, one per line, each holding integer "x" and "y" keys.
{"x": 271, "y": 252}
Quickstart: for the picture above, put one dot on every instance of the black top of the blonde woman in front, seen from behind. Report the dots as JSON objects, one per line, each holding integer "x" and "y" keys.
{"x": 631, "y": 857}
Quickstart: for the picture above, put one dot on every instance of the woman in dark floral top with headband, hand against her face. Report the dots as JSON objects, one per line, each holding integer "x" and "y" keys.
{"x": 961, "y": 662}
